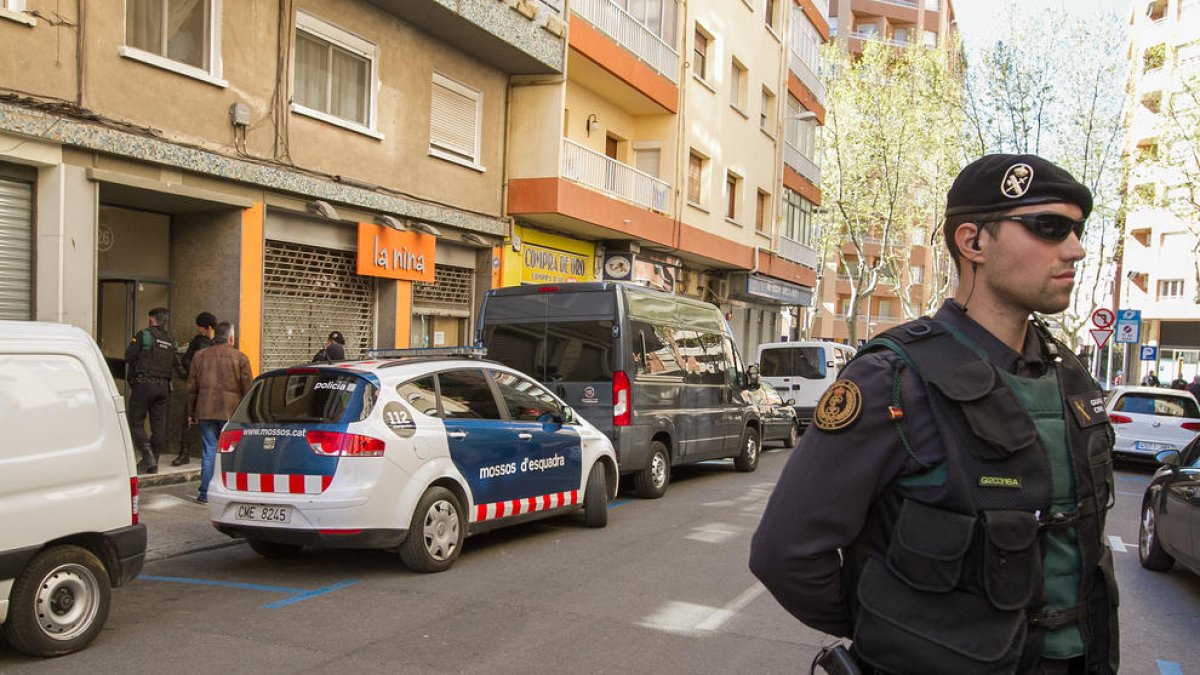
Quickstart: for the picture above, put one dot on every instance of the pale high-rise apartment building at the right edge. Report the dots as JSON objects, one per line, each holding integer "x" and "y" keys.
{"x": 1159, "y": 266}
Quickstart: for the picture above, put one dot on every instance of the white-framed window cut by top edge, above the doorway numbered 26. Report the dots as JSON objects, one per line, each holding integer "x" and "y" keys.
{"x": 178, "y": 35}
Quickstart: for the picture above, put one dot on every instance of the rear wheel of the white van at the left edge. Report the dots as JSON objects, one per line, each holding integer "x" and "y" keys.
{"x": 59, "y": 602}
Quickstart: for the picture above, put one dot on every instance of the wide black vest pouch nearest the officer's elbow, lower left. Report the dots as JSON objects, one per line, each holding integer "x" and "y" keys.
{"x": 928, "y": 547}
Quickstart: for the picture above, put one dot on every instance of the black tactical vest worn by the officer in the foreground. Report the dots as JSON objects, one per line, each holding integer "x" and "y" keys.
{"x": 953, "y": 582}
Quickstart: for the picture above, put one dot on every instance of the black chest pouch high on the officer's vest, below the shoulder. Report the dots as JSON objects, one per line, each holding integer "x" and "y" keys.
{"x": 994, "y": 414}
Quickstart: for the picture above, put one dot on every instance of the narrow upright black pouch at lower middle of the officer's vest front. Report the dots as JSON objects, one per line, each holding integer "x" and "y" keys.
{"x": 1012, "y": 559}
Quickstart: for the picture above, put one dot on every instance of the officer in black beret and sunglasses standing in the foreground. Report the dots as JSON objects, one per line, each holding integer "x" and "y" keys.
{"x": 946, "y": 510}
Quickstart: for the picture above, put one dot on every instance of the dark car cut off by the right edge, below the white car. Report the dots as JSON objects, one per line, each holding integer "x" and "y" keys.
{"x": 1171, "y": 512}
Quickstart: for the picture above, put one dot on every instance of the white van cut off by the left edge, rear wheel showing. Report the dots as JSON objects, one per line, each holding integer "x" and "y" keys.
{"x": 69, "y": 489}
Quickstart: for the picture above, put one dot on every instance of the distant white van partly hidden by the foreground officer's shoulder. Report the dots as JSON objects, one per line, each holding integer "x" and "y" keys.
{"x": 802, "y": 371}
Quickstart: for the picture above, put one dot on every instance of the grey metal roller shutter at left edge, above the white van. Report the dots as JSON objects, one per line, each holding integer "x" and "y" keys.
{"x": 16, "y": 250}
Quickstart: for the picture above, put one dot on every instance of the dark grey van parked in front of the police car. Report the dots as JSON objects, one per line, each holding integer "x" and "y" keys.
{"x": 657, "y": 373}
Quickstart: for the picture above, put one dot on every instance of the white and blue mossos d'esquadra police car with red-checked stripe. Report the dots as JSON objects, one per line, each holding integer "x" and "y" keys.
{"x": 403, "y": 452}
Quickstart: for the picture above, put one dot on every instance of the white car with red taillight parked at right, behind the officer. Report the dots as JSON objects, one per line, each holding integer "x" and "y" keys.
{"x": 1150, "y": 420}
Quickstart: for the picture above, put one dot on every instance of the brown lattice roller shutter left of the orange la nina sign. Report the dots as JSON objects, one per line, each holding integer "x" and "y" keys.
{"x": 307, "y": 294}
